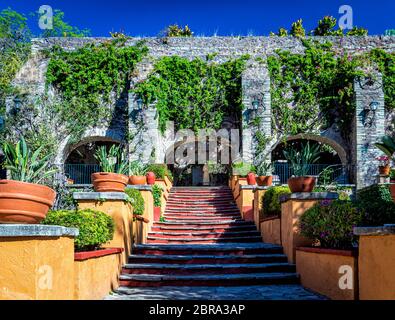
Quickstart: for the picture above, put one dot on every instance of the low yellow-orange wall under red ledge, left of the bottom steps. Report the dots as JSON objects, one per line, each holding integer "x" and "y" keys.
{"x": 95, "y": 278}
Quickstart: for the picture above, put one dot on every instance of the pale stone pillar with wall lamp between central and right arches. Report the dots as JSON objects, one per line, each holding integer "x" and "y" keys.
{"x": 255, "y": 92}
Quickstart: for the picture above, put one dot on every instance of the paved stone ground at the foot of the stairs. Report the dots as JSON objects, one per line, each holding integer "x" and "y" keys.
{"x": 270, "y": 292}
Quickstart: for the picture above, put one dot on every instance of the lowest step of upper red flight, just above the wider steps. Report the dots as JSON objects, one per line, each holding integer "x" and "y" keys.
{"x": 152, "y": 240}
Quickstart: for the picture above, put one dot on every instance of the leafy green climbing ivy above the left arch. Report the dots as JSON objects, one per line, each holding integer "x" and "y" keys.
{"x": 88, "y": 77}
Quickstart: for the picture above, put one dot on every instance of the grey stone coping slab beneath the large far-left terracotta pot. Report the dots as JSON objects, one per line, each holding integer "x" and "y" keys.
{"x": 36, "y": 230}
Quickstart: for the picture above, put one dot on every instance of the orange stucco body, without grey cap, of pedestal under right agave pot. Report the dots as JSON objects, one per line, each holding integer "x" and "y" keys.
{"x": 291, "y": 211}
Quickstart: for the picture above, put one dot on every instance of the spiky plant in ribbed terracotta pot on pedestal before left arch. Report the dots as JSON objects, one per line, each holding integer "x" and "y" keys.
{"x": 114, "y": 167}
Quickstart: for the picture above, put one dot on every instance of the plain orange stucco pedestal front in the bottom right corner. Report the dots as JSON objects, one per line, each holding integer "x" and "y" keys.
{"x": 377, "y": 267}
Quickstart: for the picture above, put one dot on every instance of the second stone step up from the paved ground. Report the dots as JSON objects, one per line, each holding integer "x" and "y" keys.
{"x": 205, "y": 269}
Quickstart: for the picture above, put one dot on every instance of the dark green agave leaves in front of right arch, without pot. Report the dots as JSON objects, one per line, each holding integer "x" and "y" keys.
{"x": 301, "y": 160}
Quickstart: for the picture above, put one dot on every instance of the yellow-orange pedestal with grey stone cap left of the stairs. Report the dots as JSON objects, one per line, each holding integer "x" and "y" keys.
{"x": 113, "y": 204}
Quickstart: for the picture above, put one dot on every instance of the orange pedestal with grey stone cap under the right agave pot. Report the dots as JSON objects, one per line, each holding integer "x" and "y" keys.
{"x": 293, "y": 206}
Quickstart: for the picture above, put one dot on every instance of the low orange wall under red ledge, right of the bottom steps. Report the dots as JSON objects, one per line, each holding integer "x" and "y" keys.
{"x": 320, "y": 273}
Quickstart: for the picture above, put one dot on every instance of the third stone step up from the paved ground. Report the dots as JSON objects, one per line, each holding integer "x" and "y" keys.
{"x": 208, "y": 259}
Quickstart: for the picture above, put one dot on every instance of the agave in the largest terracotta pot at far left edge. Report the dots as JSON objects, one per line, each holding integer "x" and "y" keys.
{"x": 23, "y": 199}
